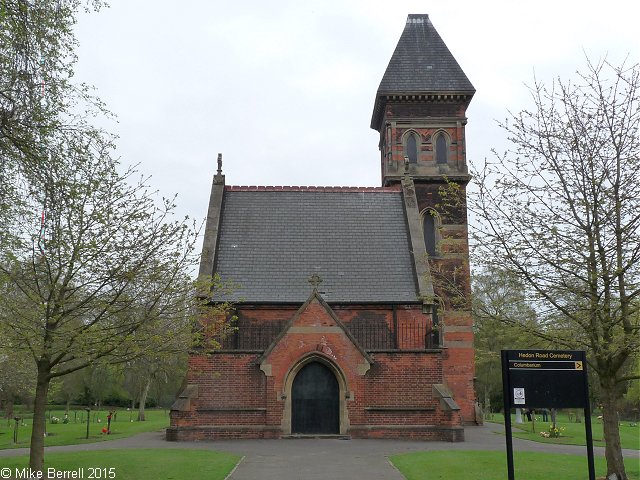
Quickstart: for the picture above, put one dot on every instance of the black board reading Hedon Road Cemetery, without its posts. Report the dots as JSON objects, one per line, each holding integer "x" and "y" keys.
{"x": 546, "y": 379}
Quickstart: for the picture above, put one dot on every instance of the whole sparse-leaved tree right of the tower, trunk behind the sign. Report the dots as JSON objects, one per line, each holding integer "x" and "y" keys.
{"x": 559, "y": 210}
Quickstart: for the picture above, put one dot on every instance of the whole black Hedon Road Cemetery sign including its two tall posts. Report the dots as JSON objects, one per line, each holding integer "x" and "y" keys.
{"x": 545, "y": 379}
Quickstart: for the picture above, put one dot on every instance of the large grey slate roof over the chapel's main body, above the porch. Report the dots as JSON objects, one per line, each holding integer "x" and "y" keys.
{"x": 271, "y": 242}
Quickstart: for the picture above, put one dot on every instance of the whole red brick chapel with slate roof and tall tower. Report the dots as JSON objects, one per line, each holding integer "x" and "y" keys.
{"x": 352, "y": 302}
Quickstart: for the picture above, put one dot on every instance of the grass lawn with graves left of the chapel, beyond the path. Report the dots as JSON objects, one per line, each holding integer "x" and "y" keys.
{"x": 75, "y": 432}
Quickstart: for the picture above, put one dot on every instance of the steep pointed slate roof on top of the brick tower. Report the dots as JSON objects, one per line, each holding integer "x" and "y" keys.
{"x": 422, "y": 63}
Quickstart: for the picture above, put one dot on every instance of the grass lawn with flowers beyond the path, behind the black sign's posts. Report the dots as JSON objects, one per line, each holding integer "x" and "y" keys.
{"x": 573, "y": 433}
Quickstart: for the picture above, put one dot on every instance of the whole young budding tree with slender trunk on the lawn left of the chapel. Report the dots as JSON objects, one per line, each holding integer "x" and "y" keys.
{"x": 105, "y": 261}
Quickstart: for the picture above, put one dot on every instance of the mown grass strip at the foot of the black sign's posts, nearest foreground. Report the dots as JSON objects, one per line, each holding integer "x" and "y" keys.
{"x": 470, "y": 465}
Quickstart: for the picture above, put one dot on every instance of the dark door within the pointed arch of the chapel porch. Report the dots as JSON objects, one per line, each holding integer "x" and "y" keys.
{"x": 315, "y": 401}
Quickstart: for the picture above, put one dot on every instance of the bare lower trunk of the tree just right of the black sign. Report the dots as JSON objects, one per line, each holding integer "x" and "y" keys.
{"x": 611, "y": 428}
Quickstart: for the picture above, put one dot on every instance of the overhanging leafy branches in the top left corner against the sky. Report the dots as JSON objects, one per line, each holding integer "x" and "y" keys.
{"x": 37, "y": 95}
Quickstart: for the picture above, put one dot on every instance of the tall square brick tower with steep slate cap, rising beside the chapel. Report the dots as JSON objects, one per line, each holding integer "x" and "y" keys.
{"x": 420, "y": 113}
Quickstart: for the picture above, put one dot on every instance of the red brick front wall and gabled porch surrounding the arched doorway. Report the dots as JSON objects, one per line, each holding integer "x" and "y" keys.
{"x": 393, "y": 399}
